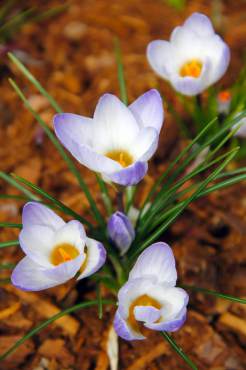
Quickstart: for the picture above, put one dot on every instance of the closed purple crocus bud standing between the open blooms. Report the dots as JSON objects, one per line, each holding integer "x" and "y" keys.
{"x": 121, "y": 231}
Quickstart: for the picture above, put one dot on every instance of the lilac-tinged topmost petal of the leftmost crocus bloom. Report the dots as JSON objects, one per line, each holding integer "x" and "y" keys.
{"x": 37, "y": 214}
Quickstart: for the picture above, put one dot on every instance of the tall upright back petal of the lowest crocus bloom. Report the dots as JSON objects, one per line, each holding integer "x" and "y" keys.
{"x": 158, "y": 261}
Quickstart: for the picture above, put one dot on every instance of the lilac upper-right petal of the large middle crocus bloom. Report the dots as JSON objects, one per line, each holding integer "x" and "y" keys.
{"x": 148, "y": 109}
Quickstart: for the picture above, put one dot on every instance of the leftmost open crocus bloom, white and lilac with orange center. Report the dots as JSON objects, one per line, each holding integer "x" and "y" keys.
{"x": 55, "y": 251}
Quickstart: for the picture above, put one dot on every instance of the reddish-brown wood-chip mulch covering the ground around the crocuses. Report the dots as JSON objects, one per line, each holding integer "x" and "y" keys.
{"x": 72, "y": 56}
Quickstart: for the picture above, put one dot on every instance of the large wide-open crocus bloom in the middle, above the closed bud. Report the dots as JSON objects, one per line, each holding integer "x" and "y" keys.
{"x": 118, "y": 141}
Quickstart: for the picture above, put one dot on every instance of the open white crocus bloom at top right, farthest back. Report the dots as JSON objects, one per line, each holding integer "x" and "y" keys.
{"x": 193, "y": 59}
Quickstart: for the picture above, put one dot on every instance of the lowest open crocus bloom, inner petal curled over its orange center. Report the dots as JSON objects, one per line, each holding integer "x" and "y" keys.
{"x": 149, "y": 297}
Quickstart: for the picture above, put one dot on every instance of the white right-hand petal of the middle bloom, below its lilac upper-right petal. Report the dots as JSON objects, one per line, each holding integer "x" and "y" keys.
{"x": 145, "y": 144}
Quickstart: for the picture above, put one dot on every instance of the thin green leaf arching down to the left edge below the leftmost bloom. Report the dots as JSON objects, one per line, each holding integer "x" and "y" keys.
{"x": 45, "y": 323}
